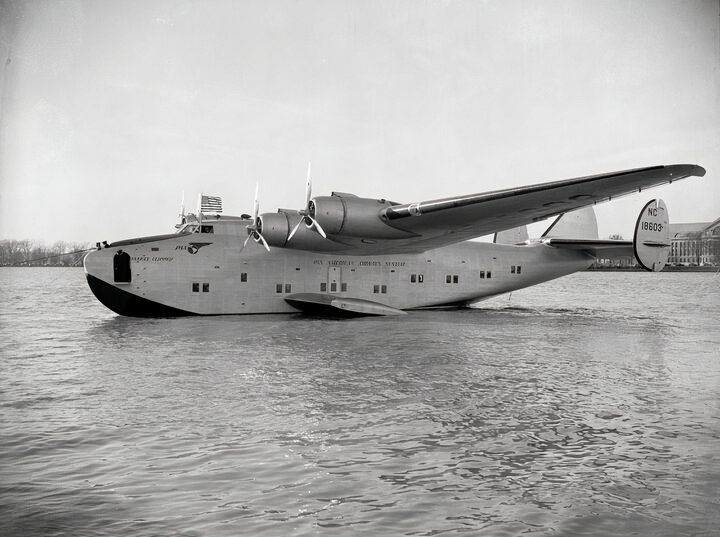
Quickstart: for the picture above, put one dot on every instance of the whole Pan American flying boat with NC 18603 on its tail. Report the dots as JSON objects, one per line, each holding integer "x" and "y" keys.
{"x": 347, "y": 255}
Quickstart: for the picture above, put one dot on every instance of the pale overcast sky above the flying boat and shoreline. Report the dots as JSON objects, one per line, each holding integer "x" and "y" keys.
{"x": 111, "y": 109}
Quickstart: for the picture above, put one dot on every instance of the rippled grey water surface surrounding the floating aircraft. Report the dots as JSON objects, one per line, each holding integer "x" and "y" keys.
{"x": 585, "y": 406}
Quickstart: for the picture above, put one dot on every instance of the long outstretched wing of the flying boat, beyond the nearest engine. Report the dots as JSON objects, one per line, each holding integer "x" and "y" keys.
{"x": 446, "y": 221}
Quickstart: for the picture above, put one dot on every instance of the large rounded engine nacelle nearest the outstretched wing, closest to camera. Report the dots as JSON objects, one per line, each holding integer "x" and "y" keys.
{"x": 354, "y": 217}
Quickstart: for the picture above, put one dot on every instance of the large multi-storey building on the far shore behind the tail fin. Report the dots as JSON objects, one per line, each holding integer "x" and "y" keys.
{"x": 696, "y": 244}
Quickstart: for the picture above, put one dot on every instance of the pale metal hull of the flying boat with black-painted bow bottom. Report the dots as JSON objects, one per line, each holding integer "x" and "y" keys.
{"x": 196, "y": 274}
